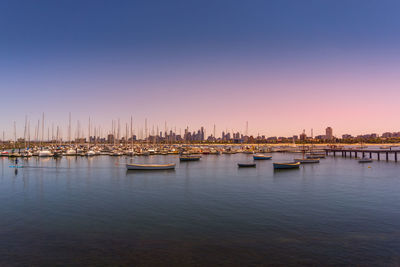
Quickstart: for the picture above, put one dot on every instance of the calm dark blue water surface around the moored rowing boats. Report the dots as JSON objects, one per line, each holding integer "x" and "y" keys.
{"x": 92, "y": 211}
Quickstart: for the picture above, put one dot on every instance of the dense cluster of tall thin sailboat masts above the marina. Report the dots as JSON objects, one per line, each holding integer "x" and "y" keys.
{"x": 97, "y": 134}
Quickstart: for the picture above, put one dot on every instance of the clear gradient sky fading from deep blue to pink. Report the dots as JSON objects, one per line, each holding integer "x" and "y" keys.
{"x": 283, "y": 65}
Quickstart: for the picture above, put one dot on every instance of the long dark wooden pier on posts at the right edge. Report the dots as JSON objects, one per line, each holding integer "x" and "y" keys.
{"x": 363, "y": 152}
